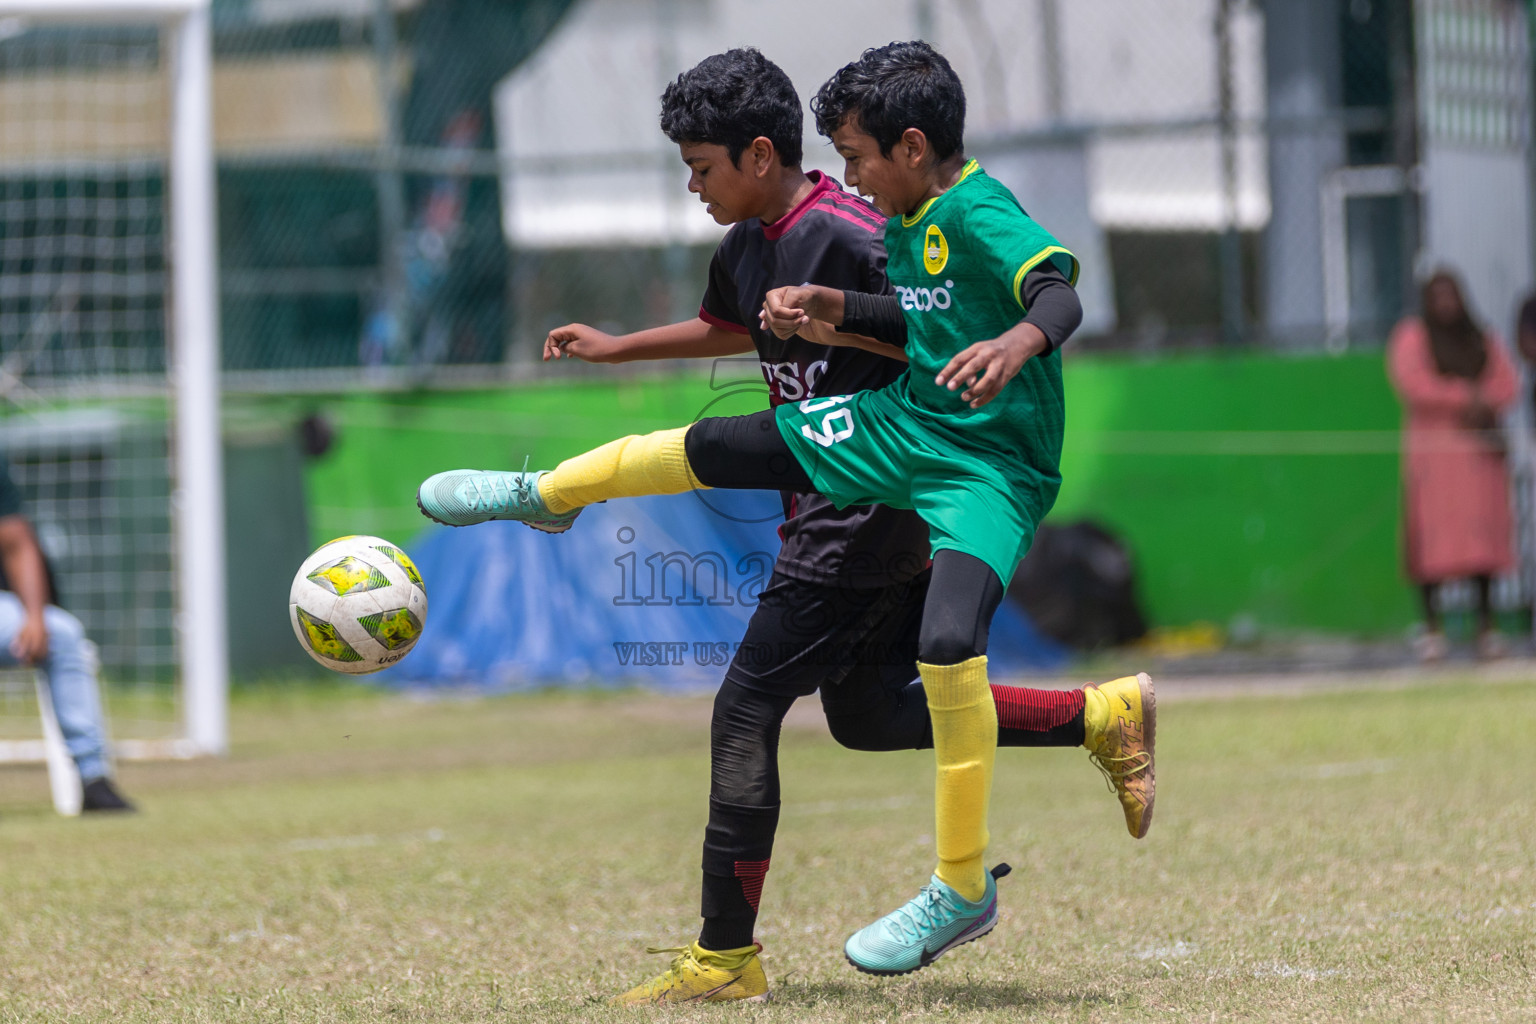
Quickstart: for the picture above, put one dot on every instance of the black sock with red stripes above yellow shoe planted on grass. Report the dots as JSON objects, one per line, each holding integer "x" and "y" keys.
{"x": 738, "y": 847}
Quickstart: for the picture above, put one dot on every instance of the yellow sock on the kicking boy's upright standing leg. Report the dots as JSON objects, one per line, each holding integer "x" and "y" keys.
{"x": 965, "y": 748}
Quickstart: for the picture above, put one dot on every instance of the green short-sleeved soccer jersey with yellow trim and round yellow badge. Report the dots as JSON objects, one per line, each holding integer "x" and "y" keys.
{"x": 959, "y": 265}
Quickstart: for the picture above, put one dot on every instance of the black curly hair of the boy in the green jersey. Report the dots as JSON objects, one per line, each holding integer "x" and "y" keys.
{"x": 893, "y": 88}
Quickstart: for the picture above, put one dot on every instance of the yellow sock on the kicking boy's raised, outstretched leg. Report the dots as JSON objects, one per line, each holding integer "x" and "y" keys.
{"x": 629, "y": 467}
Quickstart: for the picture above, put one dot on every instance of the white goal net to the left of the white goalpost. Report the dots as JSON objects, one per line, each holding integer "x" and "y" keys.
{"x": 84, "y": 312}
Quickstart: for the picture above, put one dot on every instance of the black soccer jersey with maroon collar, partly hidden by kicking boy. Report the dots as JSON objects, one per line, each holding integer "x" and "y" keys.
{"x": 836, "y": 240}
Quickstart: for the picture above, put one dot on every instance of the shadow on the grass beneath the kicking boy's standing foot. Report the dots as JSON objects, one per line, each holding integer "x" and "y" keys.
{"x": 932, "y": 996}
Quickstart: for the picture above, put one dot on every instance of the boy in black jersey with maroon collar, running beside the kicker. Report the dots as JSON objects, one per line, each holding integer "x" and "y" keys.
{"x": 842, "y": 610}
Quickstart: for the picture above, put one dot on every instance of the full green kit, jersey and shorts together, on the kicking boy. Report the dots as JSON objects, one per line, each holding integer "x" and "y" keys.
{"x": 981, "y": 478}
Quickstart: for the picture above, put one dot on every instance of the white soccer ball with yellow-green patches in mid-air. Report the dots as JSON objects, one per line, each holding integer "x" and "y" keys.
{"x": 359, "y": 606}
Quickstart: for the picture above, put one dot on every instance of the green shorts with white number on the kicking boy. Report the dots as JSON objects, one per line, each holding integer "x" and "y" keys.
{"x": 872, "y": 449}
